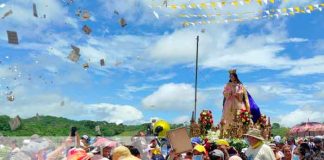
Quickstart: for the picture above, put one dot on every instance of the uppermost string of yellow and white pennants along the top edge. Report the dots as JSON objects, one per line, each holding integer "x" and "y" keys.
{"x": 216, "y": 4}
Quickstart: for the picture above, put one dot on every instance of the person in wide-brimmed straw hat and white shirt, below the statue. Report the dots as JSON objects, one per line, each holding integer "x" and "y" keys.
{"x": 257, "y": 149}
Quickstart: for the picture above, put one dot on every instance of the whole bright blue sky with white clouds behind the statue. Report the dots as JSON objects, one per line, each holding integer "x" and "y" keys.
{"x": 149, "y": 69}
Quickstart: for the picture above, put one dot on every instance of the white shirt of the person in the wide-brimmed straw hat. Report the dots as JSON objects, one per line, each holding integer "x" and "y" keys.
{"x": 263, "y": 152}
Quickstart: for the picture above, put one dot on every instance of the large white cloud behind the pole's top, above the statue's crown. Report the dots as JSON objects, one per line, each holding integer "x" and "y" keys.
{"x": 219, "y": 46}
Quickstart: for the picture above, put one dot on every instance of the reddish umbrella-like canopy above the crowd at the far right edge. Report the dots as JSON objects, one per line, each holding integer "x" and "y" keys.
{"x": 307, "y": 129}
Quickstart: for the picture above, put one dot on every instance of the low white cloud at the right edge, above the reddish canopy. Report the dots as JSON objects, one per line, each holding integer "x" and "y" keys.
{"x": 302, "y": 114}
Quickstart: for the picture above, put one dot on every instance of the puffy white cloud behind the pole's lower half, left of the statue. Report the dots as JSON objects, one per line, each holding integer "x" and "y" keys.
{"x": 172, "y": 96}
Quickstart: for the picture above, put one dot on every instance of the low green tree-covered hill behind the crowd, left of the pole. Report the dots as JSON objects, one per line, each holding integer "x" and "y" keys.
{"x": 58, "y": 126}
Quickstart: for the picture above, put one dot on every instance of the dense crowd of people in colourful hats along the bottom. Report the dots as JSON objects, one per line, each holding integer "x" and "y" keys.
{"x": 153, "y": 148}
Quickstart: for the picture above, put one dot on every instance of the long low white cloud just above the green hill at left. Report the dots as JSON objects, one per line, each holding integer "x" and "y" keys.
{"x": 28, "y": 103}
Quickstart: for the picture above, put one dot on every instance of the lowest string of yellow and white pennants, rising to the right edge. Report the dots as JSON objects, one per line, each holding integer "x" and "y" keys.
{"x": 275, "y": 13}
